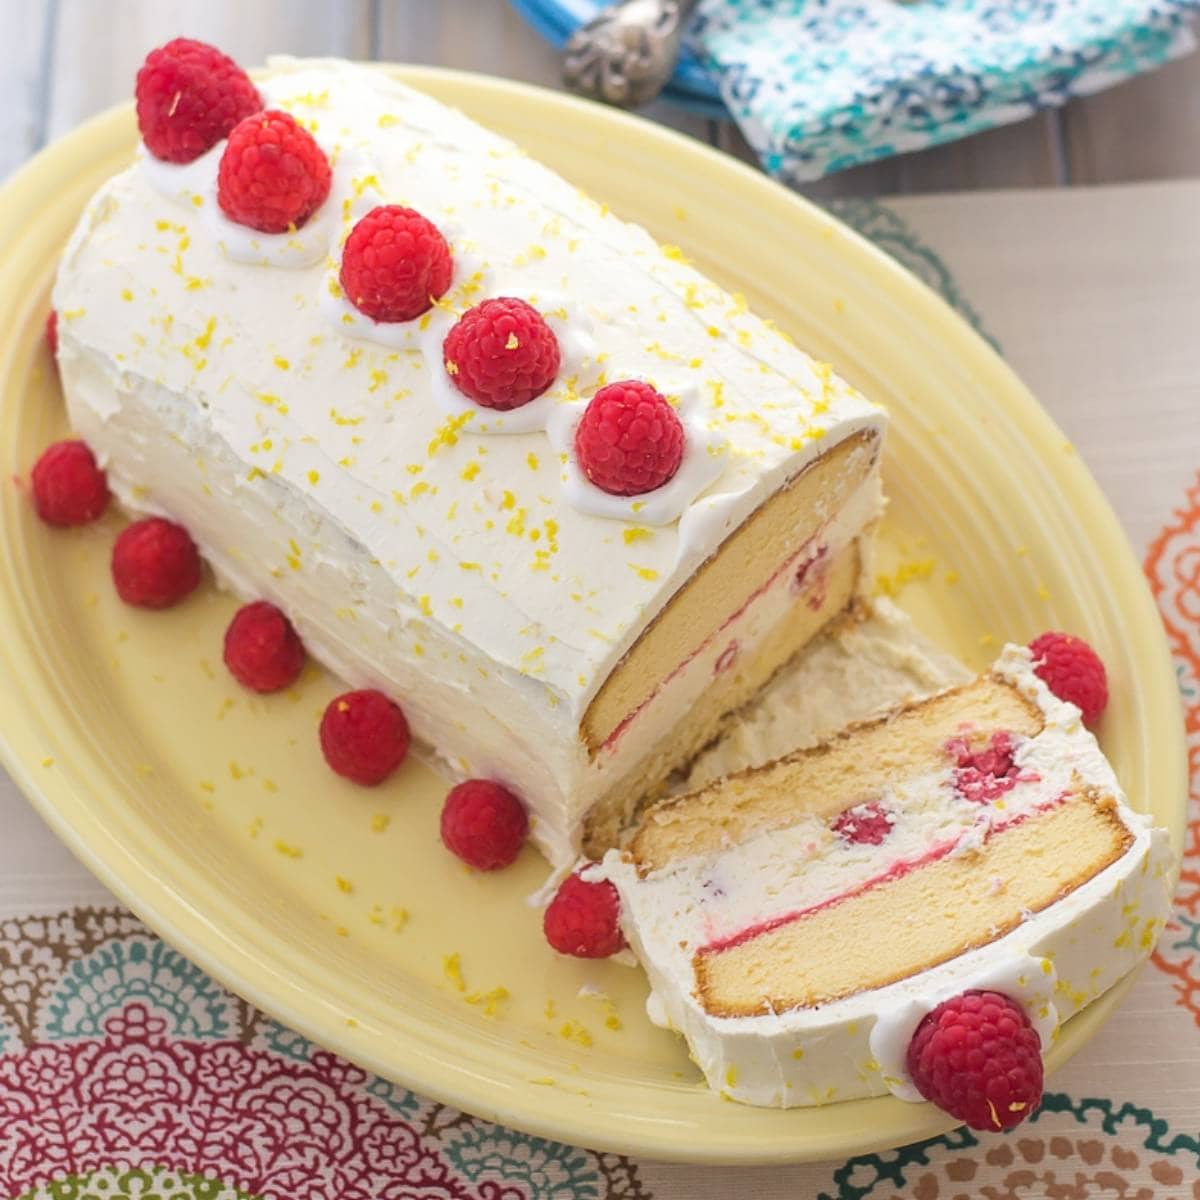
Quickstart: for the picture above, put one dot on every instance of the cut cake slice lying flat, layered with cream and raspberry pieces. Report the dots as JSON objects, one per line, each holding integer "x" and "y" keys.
{"x": 797, "y": 920}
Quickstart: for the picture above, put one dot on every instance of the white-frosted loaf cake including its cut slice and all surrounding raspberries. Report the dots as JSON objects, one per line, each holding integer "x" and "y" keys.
{"x": 562, "y": 508}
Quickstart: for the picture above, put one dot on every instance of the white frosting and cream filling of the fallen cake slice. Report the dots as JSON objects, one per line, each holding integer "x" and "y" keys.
{"x": 1054, "y": 963}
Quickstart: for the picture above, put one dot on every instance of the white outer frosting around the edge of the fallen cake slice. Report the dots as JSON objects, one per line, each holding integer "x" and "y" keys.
{"x": 1055, "y": 963}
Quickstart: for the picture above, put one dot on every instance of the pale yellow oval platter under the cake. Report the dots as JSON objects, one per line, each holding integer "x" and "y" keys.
{"x": 335, "y": 909}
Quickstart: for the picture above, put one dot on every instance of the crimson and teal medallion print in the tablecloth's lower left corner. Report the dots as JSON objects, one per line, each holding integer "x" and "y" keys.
{"x": 128, "y": 1072}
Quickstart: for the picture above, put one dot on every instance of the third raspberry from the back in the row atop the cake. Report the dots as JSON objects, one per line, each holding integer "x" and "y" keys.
{"x": 395, "y": 265}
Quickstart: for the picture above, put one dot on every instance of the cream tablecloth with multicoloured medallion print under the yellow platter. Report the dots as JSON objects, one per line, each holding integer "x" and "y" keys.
{"x": 127, "y": 1072}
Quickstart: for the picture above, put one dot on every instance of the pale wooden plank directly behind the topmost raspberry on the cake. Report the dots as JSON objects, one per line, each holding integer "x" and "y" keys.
{"x": 99, "y": 47}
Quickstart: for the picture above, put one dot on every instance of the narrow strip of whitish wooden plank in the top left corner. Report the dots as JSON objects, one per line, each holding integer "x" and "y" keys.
{"x": 25, "y": 34}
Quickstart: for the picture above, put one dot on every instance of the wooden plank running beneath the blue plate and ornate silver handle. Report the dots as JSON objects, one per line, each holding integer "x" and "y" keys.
{"x": 488, "y": 37}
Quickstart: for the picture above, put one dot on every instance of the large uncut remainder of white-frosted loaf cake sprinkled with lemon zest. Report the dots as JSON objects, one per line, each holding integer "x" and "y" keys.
{"x": 573, "y": 644}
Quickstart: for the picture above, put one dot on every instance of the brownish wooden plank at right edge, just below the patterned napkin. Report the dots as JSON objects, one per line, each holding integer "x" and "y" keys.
{"x": 1145, "y": 129}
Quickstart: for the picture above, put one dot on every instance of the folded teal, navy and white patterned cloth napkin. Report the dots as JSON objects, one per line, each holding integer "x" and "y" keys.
{"x": 819, "y": 86}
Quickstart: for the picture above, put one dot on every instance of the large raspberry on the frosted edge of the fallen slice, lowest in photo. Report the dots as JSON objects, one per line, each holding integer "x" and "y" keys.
{"x": 979, "y": 1058}
